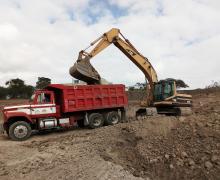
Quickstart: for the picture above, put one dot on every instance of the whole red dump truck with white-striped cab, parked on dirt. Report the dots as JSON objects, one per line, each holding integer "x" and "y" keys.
{"x": 64, "y": 106}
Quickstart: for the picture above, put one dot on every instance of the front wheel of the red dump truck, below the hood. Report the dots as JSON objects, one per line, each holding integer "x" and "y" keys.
{"x": 19, "y": 131}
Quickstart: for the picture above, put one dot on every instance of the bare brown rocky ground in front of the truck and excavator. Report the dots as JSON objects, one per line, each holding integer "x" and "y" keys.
{"x": 162, "y": 147}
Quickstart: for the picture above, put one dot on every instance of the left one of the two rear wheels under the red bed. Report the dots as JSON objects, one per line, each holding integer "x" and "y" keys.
{"x": 96, "y": 120}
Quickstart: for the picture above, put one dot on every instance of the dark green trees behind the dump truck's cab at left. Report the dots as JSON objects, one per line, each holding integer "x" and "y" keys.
{"x": 16, "y": 88}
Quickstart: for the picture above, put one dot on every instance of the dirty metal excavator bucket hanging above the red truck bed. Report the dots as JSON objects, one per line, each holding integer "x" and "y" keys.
{"x": 84, "y": 71}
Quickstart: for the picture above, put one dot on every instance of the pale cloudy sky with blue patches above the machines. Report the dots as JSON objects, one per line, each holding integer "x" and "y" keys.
{"x": 181, "y": 38}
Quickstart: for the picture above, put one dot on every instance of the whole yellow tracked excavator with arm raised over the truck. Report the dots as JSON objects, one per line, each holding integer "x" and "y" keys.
{"x": 162, "y": 96}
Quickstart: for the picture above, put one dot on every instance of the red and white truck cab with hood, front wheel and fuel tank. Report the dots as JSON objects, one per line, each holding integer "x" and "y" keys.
{"x": 19, "y": 120}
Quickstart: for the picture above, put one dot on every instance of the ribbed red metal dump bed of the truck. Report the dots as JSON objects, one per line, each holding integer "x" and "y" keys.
{"x": 89, "y": 97}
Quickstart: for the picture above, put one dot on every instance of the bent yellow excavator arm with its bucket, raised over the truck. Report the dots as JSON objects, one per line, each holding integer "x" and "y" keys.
{"x": 84, "y": 71}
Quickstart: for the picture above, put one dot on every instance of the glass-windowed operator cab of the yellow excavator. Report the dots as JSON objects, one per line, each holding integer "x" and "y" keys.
{"x": 163, "y": 90}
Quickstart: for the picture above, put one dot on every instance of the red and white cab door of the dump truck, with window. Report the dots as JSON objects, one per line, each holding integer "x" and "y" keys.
{"x": 44, "y": 105}
